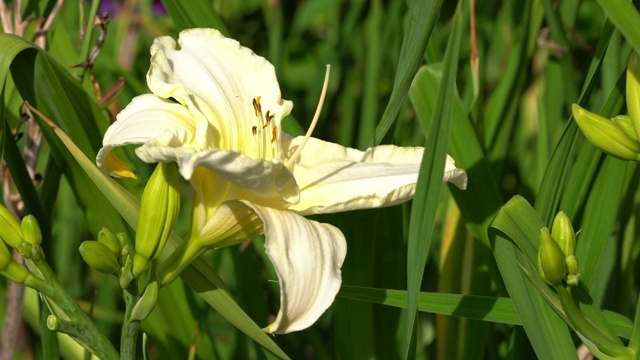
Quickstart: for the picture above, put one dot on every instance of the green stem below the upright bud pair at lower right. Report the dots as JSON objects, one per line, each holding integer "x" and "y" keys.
{"x": 605, "y": 343}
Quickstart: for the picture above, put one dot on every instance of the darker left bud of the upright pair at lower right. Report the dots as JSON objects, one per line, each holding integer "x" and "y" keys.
{"x": 551, "y": 261}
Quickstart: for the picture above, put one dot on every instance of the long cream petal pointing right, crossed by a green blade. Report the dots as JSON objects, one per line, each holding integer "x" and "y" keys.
{"x": 334, "y": 178}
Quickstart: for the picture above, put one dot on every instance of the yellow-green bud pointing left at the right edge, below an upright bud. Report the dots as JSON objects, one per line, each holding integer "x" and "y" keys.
{"x": 606, "y": 135}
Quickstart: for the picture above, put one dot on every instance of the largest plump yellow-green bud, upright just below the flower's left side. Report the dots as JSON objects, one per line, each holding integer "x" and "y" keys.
{"x": 158, "y": 212}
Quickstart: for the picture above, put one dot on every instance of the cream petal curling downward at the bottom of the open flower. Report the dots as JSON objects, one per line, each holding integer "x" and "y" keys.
{"x": 307, "y": 256}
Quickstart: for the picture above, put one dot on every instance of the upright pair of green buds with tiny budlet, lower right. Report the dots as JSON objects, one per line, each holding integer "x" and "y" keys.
{"x": 557, "y": 262}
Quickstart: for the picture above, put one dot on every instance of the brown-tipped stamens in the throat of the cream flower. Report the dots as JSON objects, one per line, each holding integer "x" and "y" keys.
{"x": 265, "y": 133}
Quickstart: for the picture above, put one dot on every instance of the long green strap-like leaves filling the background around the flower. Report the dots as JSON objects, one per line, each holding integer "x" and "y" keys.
{"x": 453, "y": 274}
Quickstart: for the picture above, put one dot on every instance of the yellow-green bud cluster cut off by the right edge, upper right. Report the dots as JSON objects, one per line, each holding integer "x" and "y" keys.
{"x": 620, "y": 136}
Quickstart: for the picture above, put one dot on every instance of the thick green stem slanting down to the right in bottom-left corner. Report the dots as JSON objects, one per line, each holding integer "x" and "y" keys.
{"x": 84, "y": 329}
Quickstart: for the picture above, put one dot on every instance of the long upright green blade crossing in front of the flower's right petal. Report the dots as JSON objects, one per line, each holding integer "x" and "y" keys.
{"x": 429, "y": 183}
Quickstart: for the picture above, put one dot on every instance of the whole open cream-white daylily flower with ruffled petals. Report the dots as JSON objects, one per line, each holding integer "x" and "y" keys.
{"x": 216, "y": 110}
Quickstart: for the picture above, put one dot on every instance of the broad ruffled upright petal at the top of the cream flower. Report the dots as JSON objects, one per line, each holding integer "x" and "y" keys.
{"x": 219, "y": 78}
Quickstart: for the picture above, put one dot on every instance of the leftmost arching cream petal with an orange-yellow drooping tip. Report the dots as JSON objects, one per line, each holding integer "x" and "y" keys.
{"x": 147, "y": 118}
